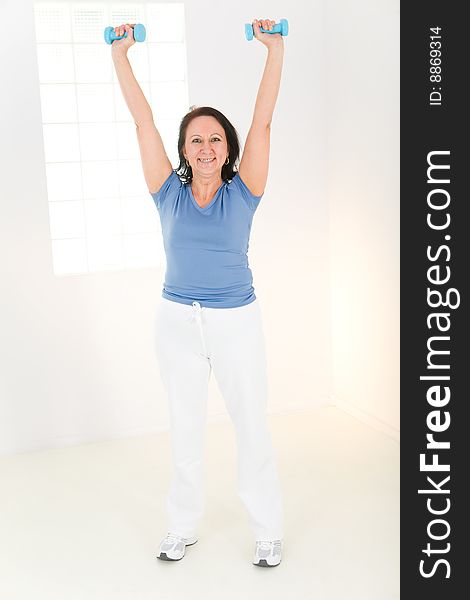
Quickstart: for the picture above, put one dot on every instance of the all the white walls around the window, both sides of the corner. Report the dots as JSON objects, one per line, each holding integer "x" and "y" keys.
{"x": 76, "y": 353}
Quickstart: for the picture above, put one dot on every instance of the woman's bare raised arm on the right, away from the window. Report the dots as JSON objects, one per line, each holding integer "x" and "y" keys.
{"x": 254, "y": 164}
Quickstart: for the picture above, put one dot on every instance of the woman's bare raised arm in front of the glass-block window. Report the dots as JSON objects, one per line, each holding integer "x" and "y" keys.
{"x": 155, "y": 162}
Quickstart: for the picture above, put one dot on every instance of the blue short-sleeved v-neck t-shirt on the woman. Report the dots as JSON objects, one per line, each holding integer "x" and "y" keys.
{"x": 206, "y": 248}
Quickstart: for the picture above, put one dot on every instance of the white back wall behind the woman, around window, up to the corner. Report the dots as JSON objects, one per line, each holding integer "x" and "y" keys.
{"x": 76, "y": 353}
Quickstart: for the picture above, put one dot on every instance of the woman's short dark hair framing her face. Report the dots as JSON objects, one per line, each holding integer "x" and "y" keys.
{"x": 229, "y": 170}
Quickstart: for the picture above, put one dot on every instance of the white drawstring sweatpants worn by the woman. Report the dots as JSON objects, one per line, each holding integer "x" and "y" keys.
{"x": 190, "y": 341}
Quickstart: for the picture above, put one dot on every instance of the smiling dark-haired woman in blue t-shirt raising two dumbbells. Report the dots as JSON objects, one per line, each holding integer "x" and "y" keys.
{"x": 208, "y": 317}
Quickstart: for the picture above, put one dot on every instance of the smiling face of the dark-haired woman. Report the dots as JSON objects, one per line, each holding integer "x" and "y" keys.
{"x": 205, "y": 146}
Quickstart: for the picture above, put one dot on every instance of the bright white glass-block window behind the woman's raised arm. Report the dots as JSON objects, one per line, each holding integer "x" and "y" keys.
{"x": 101, "y": 214}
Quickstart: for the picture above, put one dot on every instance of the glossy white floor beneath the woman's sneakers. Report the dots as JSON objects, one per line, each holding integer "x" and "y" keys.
{"x": 83, "y": 523}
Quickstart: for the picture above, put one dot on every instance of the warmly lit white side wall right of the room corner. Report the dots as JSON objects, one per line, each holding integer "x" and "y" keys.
{"x": 363, "y": 86}
